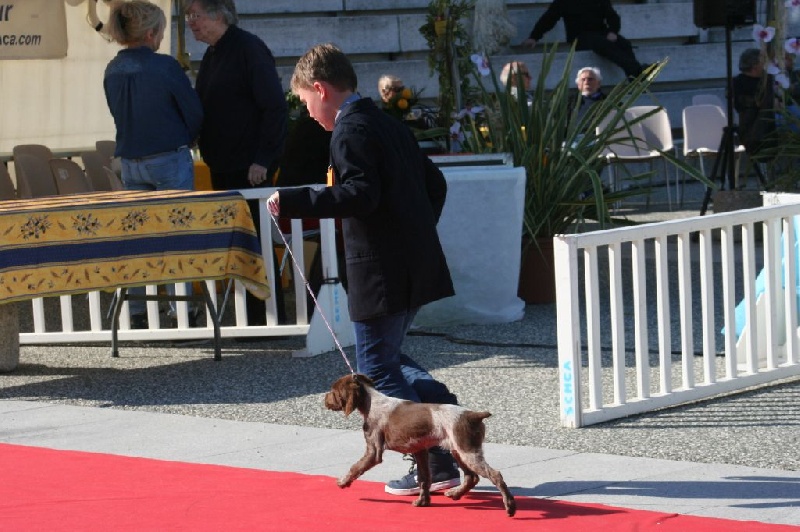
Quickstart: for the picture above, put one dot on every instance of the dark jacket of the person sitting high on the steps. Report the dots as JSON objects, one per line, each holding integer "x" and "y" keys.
{"x": 580, "y": 16}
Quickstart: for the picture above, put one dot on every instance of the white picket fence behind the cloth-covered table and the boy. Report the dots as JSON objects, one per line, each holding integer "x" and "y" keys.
{"x": 93, "y": 309}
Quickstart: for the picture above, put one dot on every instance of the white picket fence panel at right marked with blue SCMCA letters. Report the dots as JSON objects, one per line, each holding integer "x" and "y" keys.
{"x": 634, "y": 302}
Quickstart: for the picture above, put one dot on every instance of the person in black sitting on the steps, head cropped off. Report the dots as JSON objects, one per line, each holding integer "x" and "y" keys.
{"x": 595, "y": 25}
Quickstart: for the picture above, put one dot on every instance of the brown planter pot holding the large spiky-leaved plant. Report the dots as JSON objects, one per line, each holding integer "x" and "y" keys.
{"x": 537, "y": 279}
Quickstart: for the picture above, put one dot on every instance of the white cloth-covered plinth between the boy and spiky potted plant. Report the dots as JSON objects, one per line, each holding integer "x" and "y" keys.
{"x": 481, "y": 232}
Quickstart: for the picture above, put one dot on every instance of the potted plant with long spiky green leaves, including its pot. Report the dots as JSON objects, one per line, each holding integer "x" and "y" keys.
{"x": 562, "y": 155}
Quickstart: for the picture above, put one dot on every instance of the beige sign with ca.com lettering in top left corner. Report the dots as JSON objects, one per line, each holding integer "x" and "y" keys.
{"x": 32, "y": 29}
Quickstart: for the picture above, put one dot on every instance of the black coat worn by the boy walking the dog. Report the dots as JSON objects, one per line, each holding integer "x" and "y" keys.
{"x": 389, "y": 197}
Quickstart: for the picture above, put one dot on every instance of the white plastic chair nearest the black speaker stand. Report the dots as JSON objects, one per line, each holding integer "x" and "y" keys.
{"x": 703, "y": 126}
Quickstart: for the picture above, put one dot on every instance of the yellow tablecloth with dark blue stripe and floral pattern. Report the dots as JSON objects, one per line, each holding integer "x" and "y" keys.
{"x": 101, "y": 241}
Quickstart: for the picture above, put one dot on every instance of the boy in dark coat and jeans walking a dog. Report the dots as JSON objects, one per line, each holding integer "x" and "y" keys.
{"x": 389, "y": 197}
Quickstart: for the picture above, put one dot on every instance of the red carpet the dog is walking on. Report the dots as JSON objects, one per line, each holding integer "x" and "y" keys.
{"x": 44, "y": 489}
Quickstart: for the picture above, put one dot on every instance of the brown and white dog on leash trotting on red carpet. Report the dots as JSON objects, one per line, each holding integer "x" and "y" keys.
{"x": 408, "y": 427}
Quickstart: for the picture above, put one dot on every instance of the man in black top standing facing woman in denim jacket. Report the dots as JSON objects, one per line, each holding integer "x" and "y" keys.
{"x": 245, "y": 112}
